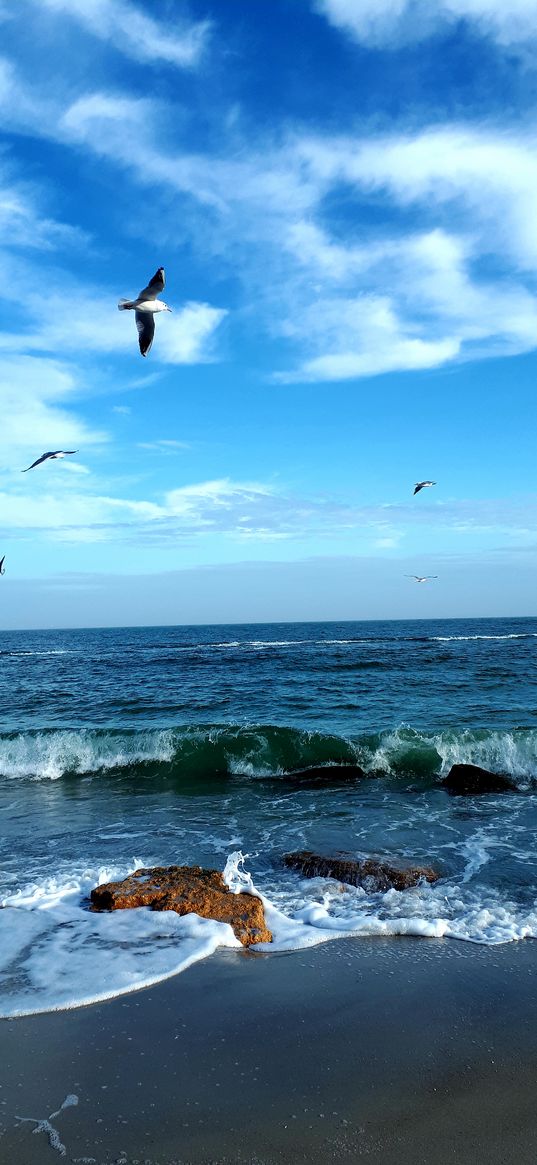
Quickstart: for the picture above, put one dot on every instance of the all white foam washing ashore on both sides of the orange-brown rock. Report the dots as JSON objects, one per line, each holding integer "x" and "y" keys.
{"x": 56, "y": 955}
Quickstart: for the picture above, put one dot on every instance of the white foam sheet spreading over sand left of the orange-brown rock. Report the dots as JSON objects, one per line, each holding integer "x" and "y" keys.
{"x": 56, "y": 955}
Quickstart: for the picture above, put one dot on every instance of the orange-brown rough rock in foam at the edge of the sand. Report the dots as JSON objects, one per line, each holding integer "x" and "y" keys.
{"x": 187, "y": 889}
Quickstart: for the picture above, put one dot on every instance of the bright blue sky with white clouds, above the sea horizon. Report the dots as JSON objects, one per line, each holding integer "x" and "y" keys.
{"x": 343, "y": 194}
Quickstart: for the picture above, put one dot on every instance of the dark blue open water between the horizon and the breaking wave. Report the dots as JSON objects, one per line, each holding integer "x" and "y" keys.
{"x": 345, "y": 677}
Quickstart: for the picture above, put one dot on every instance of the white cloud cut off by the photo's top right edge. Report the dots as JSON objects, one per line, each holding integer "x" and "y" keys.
{"x": 390, "y": 24}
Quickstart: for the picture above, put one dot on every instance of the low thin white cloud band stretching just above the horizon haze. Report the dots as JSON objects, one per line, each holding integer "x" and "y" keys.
{"x": 227, "y": 511}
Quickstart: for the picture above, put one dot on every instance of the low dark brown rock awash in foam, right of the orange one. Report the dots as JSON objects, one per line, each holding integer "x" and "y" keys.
{"x": 368, "y": 873}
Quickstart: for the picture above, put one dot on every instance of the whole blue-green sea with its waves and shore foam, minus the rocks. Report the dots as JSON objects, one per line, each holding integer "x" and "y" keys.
{"x": 132, "y": 747}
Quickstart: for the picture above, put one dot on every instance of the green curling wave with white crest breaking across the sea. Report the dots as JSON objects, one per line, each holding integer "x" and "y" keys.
{"x": 211, "y": 752}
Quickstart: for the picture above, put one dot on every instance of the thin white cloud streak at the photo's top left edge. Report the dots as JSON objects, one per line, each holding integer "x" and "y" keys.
{"x": 133, "y": 32}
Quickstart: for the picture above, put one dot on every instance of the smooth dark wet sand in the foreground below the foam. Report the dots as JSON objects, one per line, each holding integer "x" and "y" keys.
{"x": 399, "y": 1051}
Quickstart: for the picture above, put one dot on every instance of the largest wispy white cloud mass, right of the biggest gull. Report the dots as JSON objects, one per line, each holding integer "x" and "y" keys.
{"x": 395, "y": 301}
